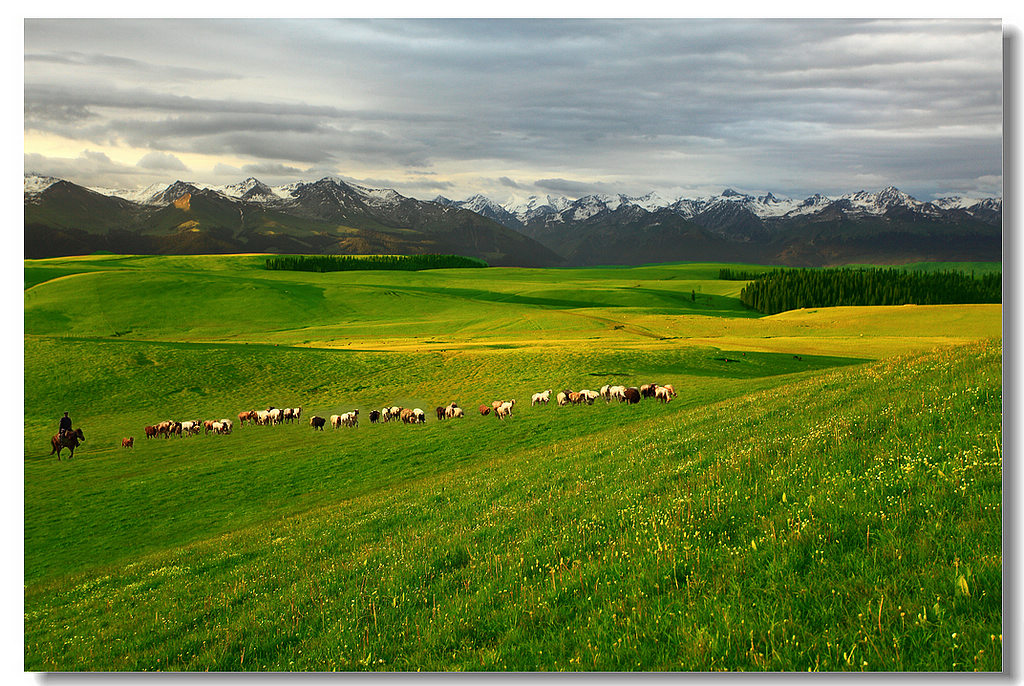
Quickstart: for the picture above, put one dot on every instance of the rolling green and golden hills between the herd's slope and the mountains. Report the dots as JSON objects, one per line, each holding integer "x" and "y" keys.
{"x": 233, "y": 299}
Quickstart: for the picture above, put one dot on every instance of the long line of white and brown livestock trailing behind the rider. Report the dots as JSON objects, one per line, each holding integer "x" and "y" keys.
{"x": 501, "y": 409}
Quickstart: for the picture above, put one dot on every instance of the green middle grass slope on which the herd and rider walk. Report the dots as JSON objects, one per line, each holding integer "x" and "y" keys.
{"x": 112, "y": 503}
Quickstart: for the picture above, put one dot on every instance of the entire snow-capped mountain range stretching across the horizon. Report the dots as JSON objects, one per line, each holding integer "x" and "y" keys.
{"x": 332, "y": 217}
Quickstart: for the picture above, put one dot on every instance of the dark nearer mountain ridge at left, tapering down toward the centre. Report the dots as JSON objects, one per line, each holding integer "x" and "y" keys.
{"x": 327, "y": 218}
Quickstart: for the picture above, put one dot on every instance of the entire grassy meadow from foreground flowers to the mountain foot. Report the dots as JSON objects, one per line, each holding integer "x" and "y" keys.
{"x": 825, "y": 493}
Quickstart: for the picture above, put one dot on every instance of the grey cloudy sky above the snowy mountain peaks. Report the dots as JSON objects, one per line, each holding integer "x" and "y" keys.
{"x": 519, "y": 108}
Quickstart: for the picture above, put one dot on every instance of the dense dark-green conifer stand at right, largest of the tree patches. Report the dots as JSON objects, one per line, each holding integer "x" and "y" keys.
{"x": 783, "y": 290}
